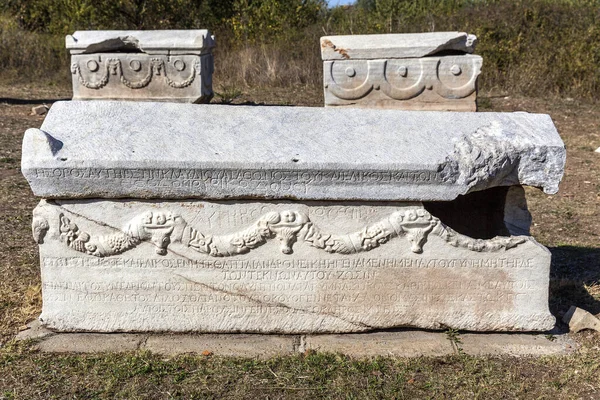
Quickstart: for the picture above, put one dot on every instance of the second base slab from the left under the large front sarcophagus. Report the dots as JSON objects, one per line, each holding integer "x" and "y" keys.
{"x": 230, "y": 345}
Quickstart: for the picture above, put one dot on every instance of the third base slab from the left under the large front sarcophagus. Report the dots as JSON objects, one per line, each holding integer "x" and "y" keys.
{"x": 398, "y": 344}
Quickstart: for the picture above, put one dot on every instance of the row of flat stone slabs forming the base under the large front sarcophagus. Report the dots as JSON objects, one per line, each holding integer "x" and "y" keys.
{"x": 408, "y": 343}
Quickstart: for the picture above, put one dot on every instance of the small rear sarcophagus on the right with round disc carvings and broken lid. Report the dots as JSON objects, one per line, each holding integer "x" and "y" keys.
{"x": 423, "y": 71}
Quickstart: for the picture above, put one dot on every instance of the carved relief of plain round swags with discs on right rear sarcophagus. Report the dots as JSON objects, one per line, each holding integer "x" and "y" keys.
{"x": 378, "y": 73}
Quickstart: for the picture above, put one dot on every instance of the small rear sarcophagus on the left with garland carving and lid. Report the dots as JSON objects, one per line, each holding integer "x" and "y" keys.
{"x": 170, "y": 65}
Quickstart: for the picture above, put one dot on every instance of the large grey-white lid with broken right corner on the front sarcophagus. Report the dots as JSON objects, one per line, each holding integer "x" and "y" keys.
{"x": 162, "y": 150}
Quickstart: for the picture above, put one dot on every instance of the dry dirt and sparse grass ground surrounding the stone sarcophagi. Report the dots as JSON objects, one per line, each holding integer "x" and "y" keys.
{"x": 568, "y": 223}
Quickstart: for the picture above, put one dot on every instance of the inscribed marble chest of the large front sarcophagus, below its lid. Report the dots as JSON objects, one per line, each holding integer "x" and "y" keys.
{"x": 285, "y": 267}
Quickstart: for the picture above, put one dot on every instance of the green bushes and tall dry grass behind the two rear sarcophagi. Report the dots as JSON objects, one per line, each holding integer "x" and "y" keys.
{"x": 530, "y": 47}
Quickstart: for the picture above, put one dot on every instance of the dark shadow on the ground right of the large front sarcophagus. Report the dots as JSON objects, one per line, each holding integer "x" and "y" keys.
{"x": 574, "y": 279}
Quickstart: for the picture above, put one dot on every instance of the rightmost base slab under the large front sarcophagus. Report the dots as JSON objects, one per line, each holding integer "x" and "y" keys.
{"x": 492, "y": 344}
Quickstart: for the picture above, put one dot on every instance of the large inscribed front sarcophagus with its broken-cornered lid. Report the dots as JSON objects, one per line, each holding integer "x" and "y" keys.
{"x": 289, "y": 219}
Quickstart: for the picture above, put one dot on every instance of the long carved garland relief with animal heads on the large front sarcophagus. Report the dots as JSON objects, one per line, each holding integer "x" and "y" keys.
{"x": 288, "y": 227}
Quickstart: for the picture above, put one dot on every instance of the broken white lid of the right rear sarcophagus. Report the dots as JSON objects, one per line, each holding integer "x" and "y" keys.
{"x": 403, "y": 45}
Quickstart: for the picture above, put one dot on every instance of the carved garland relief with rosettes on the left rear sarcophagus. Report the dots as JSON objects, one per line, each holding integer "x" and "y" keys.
{"x": 113, "y": 66}
